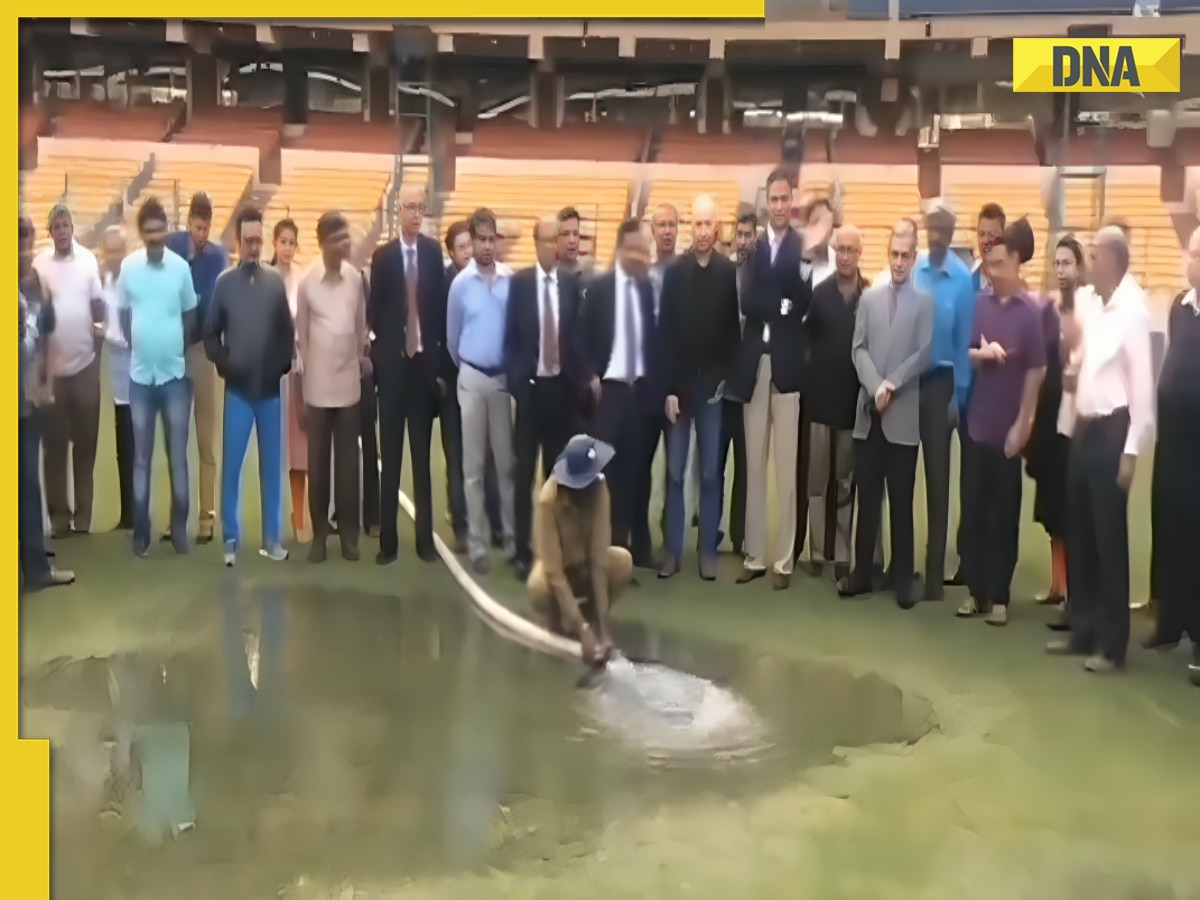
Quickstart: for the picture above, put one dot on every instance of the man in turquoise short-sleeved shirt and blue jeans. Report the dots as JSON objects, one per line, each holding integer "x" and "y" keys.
{"x": 158, "y": 313}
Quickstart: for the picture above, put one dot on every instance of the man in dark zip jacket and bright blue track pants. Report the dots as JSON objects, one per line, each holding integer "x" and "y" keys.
{"x": 249, "y": 335}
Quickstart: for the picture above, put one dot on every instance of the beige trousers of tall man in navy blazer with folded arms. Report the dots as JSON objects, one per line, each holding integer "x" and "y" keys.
{"x": 770, "y": 418}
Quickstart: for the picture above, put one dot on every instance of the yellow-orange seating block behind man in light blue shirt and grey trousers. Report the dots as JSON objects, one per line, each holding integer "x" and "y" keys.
{"x": 521, "y": 201}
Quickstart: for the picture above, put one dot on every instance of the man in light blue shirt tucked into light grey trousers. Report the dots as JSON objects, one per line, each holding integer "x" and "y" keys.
{"x": 476, "y": 321}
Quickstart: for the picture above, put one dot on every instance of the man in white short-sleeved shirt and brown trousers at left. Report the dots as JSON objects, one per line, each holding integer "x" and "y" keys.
{"x": 70, "y": 279}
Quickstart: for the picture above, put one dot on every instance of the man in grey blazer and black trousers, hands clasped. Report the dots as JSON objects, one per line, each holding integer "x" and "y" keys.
{"x": 893, "y": 332}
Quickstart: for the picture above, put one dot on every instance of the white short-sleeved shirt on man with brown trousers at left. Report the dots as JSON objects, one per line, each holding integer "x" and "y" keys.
{"x": 71, "y": 284}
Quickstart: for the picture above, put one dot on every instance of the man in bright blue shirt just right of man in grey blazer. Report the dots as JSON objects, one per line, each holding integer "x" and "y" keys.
{"x": 946, "y": 383}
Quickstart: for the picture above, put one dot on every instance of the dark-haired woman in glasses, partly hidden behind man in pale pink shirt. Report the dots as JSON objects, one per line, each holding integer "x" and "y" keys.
{"x": 1055, "y": 424}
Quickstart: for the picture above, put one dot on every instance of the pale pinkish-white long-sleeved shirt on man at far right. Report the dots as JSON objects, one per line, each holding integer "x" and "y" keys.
{"x": 1115, "y": 369}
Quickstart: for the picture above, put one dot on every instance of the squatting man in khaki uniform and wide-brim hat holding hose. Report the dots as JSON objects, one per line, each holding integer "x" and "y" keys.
{"x": 578, "y": 572}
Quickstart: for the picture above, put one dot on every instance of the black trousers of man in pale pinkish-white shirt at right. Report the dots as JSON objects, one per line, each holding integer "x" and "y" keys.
{"x": 1099, "y": 538}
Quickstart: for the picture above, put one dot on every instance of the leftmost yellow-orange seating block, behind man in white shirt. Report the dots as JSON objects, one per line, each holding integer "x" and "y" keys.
{"x": 91, "y": 187}
